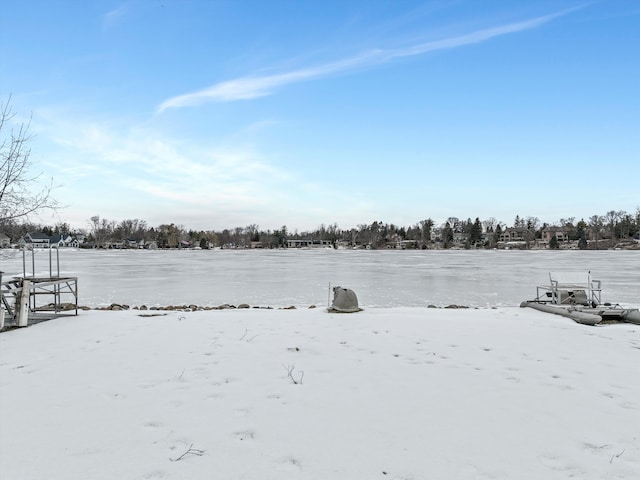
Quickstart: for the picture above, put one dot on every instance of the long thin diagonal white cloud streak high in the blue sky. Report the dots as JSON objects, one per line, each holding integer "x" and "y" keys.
{"x": 250, "y": 87}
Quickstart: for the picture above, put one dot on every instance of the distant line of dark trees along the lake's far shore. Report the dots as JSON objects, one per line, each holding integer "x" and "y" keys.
{"x": 600, "y": 230}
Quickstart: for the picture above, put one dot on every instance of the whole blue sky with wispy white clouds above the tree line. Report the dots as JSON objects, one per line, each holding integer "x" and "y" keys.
{"x": 216, "y": 114}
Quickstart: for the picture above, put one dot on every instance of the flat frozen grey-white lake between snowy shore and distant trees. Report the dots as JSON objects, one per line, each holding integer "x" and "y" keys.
{"x": 478, "y": 278}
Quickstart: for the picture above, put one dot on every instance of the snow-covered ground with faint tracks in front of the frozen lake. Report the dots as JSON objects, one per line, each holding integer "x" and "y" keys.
{"x": 388, "y": 393}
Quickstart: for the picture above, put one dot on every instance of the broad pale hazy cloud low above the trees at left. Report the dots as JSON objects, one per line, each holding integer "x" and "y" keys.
{"x": 148, "y": 174}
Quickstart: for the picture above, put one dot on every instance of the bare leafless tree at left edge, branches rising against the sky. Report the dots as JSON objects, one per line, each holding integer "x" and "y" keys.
{"x": 20, "y": 193}
